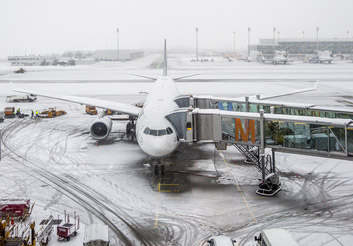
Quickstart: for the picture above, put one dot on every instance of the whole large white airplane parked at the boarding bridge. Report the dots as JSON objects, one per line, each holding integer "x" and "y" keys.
{"x": 156, "y": 136}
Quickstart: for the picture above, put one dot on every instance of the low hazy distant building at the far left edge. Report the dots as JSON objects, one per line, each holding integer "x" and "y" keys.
{"x": 31, "y": 60}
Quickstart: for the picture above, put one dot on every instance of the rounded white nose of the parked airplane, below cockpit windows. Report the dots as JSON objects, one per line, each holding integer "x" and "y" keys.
{"x": 159, "y": 146}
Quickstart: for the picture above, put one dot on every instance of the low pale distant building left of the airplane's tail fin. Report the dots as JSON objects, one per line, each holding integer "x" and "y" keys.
{"x": 111, "y": 55}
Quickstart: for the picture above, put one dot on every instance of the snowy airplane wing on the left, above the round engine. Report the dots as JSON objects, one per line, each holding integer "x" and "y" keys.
{"x": 105, "y": 104}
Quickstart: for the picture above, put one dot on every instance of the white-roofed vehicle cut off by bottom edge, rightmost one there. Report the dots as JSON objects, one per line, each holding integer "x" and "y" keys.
{"x": 275, "y": 237}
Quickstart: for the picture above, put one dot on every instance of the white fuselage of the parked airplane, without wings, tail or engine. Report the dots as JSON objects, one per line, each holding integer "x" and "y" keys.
{"x": 155, "y": 134}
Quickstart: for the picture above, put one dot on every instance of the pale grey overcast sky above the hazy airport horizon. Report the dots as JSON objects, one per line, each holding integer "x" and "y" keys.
{"x": 54, "y": 26}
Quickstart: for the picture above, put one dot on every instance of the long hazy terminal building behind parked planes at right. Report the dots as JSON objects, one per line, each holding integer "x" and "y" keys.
{"x": 302, "y": 47}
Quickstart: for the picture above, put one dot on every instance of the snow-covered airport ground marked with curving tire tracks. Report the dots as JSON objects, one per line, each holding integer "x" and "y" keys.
{"x": 56, "y": 164}
